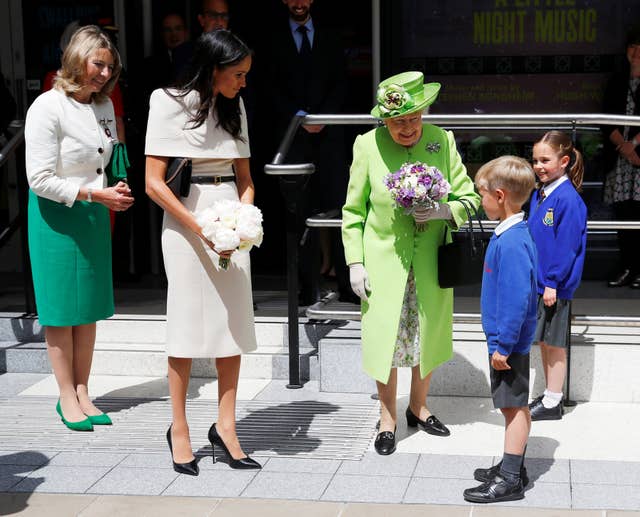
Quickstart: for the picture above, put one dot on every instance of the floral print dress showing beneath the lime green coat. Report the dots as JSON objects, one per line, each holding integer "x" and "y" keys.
{"x": 407, "y": 350}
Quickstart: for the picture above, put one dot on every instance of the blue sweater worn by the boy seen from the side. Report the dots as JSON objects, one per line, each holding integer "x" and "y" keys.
{"x": 508, "y": 298}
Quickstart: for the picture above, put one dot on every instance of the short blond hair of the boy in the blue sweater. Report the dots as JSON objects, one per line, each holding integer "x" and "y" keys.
{"x": 510, "y": 173}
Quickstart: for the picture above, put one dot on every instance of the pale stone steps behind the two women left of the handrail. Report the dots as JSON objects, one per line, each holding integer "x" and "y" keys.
{"x": 134, "y": 345}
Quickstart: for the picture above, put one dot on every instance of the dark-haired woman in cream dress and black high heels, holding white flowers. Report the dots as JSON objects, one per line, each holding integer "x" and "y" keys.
{"x": 209, "y": 310}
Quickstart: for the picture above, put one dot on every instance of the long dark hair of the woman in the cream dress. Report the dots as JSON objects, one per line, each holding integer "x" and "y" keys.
{"x": 218, "y": 49}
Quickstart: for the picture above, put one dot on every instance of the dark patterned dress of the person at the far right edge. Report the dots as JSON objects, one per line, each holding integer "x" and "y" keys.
{"x": 623, "y": 182}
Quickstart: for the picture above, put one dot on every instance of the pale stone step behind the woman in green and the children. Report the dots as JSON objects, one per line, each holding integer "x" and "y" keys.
{"x": 604, "y": 363}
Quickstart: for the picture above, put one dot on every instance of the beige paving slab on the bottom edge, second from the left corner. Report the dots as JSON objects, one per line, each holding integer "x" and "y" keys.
{"x": 147, "y": 506}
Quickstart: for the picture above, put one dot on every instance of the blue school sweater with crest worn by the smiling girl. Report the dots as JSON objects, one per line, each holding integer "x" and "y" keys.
{"x": 559, "y": 229}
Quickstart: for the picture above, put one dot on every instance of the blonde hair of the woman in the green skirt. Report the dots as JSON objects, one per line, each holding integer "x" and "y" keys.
{"x": 84, "y": 42}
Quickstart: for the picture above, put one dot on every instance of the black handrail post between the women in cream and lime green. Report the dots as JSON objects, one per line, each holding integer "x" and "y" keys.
{"x": 292, "y": 179}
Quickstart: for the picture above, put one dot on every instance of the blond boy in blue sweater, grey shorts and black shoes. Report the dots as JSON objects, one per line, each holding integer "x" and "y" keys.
{"x": 508, "y": 305}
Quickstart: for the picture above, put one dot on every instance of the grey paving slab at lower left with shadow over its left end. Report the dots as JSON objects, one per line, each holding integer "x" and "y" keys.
{"x": 68, "y": 480}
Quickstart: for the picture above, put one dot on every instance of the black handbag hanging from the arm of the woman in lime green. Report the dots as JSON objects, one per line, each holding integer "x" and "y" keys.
{"x": 461, "y": 261}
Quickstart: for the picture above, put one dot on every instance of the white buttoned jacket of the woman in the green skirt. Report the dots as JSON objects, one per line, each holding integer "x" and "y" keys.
{"x": 63, "y": 140}
